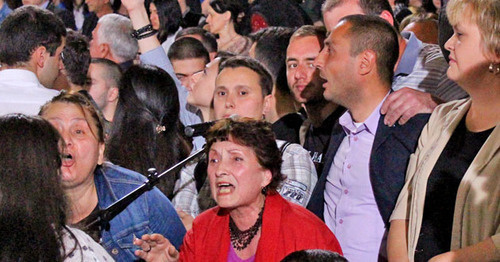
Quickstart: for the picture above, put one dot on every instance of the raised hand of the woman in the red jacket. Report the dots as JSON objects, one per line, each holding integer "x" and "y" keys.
{"x": 156, "y": 248}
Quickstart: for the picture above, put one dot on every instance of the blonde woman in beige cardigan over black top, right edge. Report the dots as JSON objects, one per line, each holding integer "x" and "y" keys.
{"x": 448, "y": 210}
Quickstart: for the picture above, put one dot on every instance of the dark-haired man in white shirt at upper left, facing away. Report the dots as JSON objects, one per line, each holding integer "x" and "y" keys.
{"x": 31, "y": 42}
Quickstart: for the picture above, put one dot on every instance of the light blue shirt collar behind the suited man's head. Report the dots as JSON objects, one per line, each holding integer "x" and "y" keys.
{"x": 410, "y": 55}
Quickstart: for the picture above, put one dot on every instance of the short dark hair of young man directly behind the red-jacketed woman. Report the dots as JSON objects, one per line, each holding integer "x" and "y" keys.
{"x": 266, "y": 80}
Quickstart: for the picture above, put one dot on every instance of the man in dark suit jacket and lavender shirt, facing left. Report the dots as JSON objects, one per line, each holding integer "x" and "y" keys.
{"x": 366, "y": 160}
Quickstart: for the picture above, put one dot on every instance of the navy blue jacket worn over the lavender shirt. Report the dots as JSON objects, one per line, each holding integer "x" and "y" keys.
{"x": 389, "y": 159}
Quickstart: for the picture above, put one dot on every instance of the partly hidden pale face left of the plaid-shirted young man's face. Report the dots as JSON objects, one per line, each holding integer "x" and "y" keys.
{"x": 202, "y": 91}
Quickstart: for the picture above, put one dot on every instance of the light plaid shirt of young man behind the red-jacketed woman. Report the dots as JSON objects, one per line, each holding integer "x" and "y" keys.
{"x": 297, "y": 188}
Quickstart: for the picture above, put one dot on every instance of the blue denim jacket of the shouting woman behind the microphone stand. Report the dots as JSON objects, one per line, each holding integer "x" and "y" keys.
{"x": 150, "y": 213}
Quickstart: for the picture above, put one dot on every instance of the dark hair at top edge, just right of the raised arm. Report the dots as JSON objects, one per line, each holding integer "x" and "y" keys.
{"x": 170, "y": 17}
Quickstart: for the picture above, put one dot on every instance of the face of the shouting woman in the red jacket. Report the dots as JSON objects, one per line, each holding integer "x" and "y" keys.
{"x": 236, "y": 177}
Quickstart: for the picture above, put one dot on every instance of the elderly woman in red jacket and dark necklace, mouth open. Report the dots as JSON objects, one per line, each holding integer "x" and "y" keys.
{"x": 251, "y": 220}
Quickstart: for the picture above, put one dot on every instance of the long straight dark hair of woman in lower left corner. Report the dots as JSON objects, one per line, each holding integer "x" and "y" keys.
{"x": 32, "y": 201}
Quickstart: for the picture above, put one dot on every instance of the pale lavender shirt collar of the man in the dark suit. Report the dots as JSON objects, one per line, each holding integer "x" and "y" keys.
{"x": 370, "y": 124}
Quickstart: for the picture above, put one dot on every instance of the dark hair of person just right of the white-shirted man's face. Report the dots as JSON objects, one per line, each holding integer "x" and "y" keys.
{"x": 76, "y": 58}
